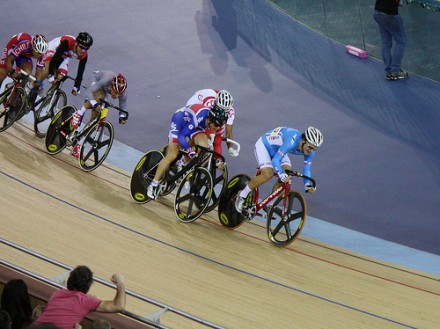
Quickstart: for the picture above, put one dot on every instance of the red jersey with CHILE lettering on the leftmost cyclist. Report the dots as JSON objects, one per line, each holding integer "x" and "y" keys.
{"x": 20, "y": 47}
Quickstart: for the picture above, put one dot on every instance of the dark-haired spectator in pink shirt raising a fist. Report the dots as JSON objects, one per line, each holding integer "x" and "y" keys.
{"x": 67, "y": 307}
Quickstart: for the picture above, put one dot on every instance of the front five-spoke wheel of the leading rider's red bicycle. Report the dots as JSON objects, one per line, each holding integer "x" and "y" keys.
{"x": 286, "y": 218}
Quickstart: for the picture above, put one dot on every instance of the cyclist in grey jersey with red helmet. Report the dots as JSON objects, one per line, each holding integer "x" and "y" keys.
{"x": 105, "y": 83}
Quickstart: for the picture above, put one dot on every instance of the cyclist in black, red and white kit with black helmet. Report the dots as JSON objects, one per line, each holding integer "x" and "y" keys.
{"x": 55, "y": 61}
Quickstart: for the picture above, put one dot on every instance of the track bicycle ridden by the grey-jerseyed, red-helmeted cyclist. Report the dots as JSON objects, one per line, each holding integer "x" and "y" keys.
{"x": 98, "y": 135}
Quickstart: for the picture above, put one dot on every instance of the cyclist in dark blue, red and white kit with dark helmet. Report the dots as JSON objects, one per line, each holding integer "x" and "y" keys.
{"x": 193, "y": 123}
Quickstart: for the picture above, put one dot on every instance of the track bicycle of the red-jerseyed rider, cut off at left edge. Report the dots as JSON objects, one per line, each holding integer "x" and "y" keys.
{"x": 13, "y": 100}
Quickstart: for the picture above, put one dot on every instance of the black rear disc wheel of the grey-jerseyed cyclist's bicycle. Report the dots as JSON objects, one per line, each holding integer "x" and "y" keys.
{"x": 58, "y": 130}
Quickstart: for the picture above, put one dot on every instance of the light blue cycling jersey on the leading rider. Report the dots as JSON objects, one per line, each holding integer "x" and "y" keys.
{"x": 281, "y": 141}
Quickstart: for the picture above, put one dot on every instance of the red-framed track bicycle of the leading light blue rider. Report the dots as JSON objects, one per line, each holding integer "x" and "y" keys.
{"x": 285, "y": 218}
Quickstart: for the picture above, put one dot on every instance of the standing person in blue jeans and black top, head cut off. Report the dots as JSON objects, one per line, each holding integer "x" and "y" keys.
{"x": 386, "y": 15}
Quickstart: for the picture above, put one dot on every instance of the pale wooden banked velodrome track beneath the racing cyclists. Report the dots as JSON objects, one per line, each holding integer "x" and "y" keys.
{"x": 235, "y": 279}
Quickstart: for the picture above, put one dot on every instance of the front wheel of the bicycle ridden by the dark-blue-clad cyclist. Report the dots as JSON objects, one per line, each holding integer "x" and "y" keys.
{"x": 193, "y": 195}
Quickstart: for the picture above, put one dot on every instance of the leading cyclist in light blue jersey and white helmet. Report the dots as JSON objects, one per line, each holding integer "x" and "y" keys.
{"x": 271, "y": 151}
